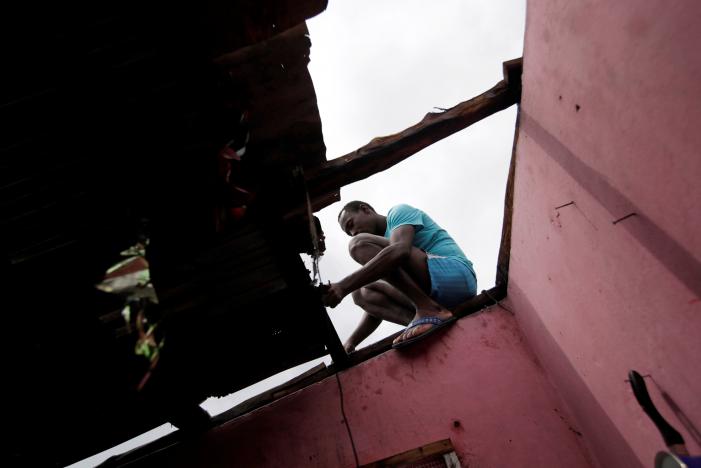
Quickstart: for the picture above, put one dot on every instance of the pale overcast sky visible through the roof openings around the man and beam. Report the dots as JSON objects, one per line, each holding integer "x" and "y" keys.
{"x": 378, "y": 67}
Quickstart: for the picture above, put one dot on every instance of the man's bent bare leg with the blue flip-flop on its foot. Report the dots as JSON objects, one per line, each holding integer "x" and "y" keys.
{"x": 413, "y": 279}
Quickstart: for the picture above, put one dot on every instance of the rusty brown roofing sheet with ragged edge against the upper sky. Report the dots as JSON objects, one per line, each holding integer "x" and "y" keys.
{"x": 271, "y": 76}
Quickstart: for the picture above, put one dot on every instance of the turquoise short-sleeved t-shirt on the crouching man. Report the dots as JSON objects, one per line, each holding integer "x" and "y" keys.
{"x": 428, "y": 236}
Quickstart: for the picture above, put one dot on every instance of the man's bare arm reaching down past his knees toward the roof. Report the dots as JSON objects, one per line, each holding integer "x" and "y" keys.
{"x": 387, "y": 260}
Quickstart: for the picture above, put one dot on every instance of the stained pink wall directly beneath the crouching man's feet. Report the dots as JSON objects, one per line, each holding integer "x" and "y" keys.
{"x": 480, "y": 373}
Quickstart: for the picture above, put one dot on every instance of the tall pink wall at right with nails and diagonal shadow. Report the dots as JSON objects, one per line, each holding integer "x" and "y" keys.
{"x": 610, "y": 119}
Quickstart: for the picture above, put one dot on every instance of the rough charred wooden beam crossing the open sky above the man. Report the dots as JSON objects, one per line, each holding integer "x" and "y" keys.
{"x": 384, "y": 152}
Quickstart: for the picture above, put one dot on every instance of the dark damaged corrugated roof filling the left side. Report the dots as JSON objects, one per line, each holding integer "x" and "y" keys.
{"x": 190, "y": 126}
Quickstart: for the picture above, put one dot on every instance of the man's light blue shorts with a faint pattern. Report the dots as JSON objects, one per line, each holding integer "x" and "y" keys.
{"x": 452, "y": 282}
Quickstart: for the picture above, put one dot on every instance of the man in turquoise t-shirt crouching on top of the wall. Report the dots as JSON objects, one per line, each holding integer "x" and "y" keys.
{"x": 412, "y": 272}
